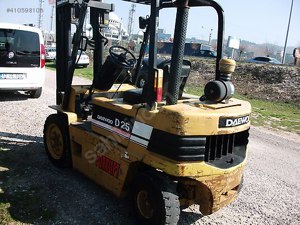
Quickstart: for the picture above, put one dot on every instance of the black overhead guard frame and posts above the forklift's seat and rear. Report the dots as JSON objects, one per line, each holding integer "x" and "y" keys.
{"x": 179, "y": 38}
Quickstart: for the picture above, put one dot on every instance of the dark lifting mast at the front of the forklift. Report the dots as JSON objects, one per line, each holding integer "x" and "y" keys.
{"x": 74, "y": 12}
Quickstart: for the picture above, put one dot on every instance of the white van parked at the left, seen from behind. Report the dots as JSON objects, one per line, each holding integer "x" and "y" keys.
{"x": 22, "y": 59}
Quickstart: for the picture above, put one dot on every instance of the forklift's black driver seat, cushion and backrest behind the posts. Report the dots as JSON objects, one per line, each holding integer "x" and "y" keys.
{"x": 136, "y": 96}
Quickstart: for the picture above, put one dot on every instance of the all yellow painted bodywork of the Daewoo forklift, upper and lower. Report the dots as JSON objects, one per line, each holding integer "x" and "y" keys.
{"x": 207, "y": 185}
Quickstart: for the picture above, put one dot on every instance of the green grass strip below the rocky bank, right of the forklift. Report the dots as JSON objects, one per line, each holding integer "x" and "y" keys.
{"x": 283, "y": 116}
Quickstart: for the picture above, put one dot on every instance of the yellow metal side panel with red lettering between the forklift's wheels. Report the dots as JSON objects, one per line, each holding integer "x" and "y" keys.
{"x": 87, "y": 148}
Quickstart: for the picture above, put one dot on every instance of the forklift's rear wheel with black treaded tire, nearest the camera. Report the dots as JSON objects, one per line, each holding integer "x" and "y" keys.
{"x": 155, "y": 199}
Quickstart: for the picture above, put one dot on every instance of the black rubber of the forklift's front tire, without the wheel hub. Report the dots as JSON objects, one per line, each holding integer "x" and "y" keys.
{"x": 61, "y": 122}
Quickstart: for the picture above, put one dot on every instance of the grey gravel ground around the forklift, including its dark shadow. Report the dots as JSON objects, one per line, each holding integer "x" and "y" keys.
{"x": 38, "y": 193}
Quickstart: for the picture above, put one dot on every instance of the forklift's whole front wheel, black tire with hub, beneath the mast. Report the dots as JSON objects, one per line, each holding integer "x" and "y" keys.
{"x": 57, "y": 140}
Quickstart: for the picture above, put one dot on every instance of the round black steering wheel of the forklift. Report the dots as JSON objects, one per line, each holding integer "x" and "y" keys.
{"x": 122, "y": 56}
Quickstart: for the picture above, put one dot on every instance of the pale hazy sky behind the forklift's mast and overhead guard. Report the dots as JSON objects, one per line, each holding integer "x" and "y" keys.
{"x": 259, "y": 21}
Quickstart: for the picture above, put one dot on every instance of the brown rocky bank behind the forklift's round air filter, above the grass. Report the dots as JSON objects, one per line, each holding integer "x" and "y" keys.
{"x": 269, "y": 82}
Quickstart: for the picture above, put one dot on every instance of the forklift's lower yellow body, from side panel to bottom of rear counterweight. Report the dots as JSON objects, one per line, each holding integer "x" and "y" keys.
{"x": 213, "y": 187}
